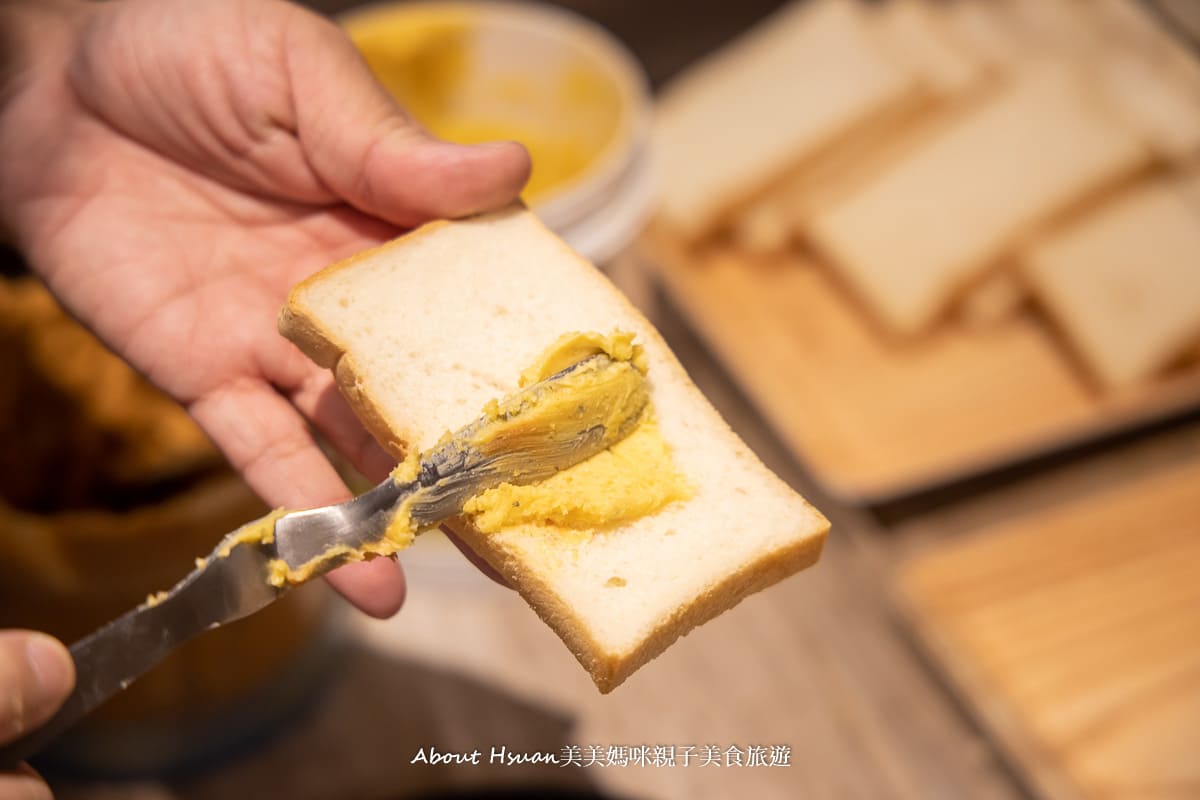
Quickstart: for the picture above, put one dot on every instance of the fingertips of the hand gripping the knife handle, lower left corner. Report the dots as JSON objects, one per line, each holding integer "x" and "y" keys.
{"x": 37, "y": 675}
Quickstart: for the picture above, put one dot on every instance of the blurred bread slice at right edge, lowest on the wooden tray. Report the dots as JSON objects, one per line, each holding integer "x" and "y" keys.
{"x": 1124, "y": 281}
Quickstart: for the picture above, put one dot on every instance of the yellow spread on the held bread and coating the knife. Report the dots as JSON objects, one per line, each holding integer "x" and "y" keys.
{"x": 633, "y": 478}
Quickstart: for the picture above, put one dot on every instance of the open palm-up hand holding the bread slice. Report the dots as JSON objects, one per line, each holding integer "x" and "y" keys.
{"x": 171, "y": 169}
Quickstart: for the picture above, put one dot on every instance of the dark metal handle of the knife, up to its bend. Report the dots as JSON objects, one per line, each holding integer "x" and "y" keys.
{"x": 112, "y": 658}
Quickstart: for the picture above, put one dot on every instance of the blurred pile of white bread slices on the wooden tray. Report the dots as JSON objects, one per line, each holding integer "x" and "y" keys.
{"x": 953, "y": 164}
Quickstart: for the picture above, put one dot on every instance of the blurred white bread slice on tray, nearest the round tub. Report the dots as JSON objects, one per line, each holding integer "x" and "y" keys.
{"x": 755, "y": 110}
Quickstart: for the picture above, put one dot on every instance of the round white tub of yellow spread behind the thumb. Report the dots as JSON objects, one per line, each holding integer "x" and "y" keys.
{"x": 539, "y": 69}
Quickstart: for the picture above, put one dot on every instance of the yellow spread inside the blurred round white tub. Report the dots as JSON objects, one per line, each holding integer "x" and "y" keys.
{"x": 427, "y": 58}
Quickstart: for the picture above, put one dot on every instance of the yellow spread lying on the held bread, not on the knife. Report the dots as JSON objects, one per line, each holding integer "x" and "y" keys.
{"x": 634, "y": 478}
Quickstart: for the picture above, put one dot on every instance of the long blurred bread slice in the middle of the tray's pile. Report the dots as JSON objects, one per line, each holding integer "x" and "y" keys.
{"x": 929, "y": 225}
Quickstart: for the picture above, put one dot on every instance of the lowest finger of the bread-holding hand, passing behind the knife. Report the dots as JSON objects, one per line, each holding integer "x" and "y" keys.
{"x": 267, "y": 441}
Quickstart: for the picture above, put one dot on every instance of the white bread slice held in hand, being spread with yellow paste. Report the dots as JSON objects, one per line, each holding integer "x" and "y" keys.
{"x": 425, "y": 330}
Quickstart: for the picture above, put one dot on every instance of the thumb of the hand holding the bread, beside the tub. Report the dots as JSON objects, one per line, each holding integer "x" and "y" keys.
{"x": 374, "y": 155}
